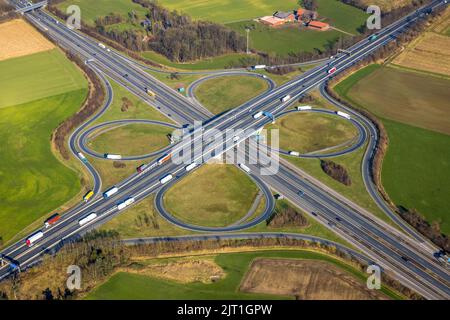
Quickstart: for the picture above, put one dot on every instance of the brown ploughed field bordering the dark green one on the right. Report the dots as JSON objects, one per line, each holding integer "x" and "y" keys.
{"x": 409, "y": 97}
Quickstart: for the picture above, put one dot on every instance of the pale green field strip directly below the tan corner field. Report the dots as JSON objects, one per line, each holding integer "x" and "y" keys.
{"x": 37, "y": 76}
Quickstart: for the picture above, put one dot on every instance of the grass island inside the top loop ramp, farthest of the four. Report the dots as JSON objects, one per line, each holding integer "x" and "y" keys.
{"x": 222, "y": 94}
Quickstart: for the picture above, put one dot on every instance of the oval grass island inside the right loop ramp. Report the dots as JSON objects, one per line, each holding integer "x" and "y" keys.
{"x": 308, "y": 132}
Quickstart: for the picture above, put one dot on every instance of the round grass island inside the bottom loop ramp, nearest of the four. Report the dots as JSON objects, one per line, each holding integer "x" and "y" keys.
{"x": 213, "y": 195}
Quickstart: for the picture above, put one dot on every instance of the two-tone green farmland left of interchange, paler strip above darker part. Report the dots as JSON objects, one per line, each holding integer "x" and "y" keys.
{"x": 30, "y": 109}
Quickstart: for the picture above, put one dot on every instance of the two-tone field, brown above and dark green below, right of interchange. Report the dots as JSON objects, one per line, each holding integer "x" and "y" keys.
{"x": 414, "y": 109}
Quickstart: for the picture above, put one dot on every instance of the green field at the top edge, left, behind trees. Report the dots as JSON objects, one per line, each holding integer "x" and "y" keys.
{"x": 90, "y": 10}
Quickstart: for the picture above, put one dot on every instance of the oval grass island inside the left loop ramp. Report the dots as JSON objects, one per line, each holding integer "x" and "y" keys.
{"x": 131, "y": 140}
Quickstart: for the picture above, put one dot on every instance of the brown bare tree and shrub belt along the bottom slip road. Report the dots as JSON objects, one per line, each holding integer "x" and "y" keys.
{"x": 101, "y": 253}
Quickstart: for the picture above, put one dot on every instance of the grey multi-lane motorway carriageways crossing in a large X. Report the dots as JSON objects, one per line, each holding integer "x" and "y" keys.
{"x": 408, "y": 259}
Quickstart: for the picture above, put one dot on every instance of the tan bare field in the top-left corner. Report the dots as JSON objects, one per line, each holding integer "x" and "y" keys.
{"x": 18, "y": 38}
